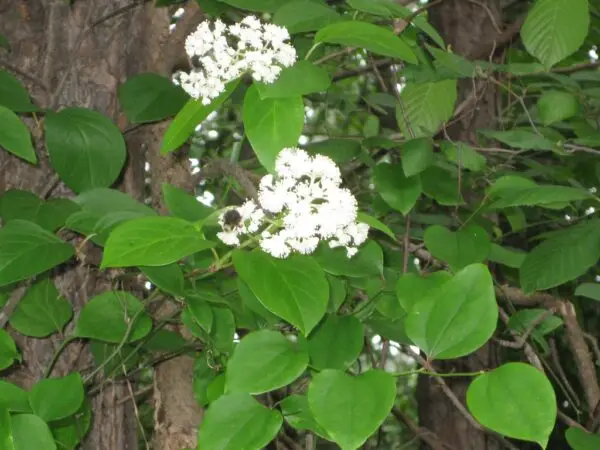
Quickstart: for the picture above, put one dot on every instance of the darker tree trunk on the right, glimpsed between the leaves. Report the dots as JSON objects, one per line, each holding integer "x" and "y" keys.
{"x": 465, "y": 27}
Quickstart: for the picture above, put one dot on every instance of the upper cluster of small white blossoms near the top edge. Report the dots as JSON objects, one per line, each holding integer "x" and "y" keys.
{"x": 220, "y": 54}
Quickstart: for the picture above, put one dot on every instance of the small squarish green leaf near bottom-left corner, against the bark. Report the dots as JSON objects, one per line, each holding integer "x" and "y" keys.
{"x": 57, "y": 398}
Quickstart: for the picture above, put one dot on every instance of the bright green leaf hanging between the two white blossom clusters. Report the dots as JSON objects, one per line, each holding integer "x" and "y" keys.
{"x": 272, "y": 124}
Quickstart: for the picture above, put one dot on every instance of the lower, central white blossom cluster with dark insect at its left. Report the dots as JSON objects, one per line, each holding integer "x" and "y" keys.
{"x": 298, "y": 207}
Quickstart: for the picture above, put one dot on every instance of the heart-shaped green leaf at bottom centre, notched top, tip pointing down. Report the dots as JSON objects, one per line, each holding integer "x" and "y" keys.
{"x": 350, "y": 409}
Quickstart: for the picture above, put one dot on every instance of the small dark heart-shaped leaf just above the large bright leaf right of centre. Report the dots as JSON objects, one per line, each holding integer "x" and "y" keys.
{"x": 460, "y": 248}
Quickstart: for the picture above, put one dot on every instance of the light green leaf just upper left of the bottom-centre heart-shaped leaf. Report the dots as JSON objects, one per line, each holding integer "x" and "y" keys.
{"x": 264, "y": 361}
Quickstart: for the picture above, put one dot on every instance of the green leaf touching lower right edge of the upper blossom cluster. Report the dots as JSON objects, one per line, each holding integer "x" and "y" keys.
{"x": 301, "y": 79}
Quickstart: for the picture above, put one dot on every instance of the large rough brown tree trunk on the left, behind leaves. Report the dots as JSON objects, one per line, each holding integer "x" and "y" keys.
{"x": 77, "y": 54}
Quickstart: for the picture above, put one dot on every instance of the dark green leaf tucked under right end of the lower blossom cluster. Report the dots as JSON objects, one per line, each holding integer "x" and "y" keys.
{"x": 367, "y": 262}
